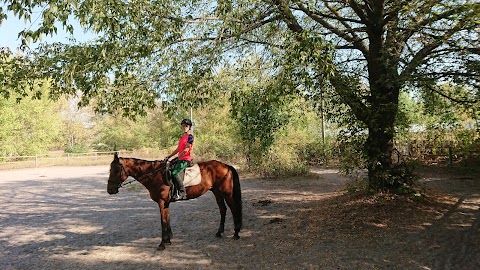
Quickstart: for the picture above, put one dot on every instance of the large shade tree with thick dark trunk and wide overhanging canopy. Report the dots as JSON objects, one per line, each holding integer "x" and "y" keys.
{"x": 366, "y": 50}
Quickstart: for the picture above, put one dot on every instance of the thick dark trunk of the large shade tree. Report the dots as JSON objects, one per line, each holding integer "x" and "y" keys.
{"x": 382, "y": 106}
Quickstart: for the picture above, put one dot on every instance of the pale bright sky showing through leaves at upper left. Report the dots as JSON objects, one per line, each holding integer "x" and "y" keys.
{"x": 10, "y": 28}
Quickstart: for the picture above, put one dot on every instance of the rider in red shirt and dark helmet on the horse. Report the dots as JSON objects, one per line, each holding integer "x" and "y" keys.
{"x": 184, "y": 150}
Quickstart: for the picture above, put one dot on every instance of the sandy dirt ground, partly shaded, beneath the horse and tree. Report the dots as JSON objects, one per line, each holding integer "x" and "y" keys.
{"x": 63, "y": 218}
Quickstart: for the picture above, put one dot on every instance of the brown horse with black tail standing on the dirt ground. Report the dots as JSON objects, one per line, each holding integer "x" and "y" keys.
{"x": 220, "y": 178}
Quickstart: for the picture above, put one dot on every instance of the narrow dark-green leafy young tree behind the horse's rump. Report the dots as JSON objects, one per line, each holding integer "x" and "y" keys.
{"x": 260, "y": 106}
